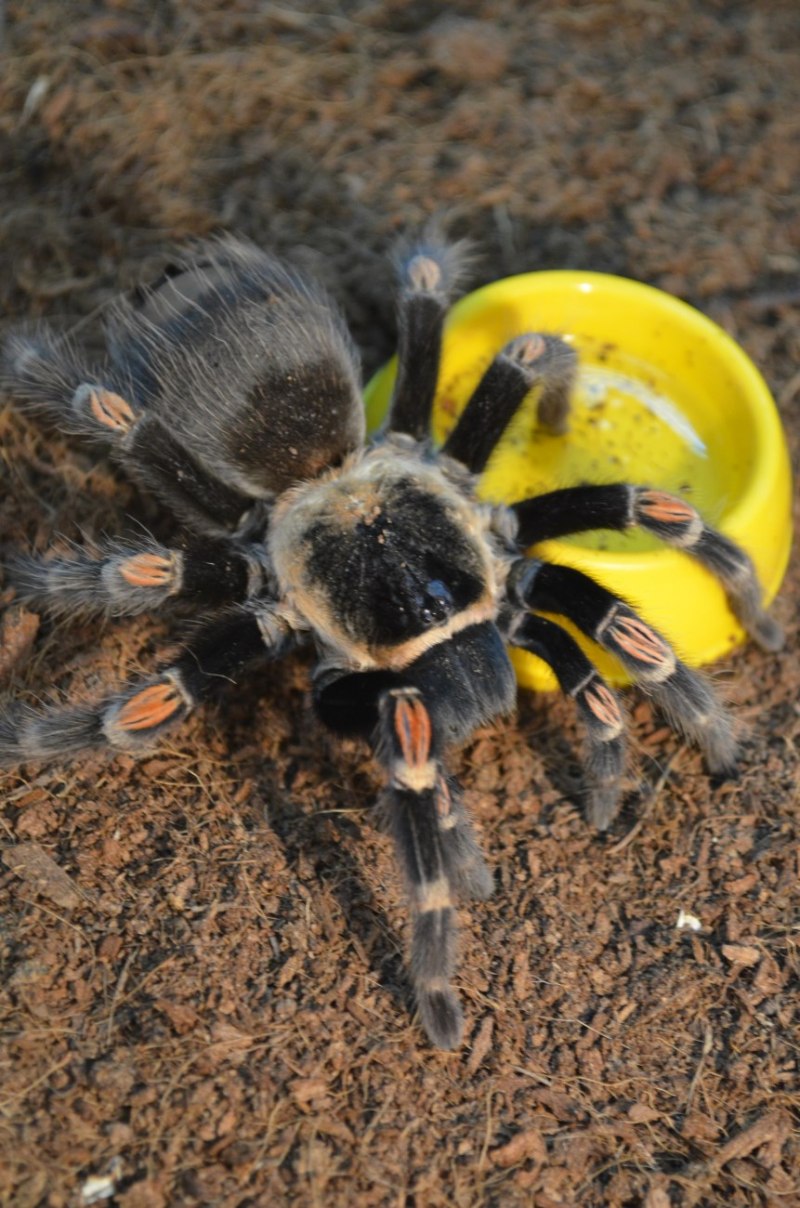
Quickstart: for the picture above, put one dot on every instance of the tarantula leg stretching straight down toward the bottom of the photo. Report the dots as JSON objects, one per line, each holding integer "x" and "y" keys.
{"x": 424, "y": 820}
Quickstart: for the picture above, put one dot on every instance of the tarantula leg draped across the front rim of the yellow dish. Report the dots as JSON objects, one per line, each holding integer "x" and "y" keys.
{"x": 669, "y": 518}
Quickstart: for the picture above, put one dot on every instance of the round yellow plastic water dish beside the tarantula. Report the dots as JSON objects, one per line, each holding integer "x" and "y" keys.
{"x": 665, "y": 399}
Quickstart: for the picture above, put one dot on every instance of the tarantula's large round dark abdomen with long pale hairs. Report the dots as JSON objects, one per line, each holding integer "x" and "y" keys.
{"x": 247, "y": 363}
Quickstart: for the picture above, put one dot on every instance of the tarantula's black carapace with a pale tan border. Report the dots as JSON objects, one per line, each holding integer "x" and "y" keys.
{"x": 386, "y": 557}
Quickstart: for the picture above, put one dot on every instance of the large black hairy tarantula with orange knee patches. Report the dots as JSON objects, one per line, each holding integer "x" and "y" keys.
{"x": 231, "y": 393}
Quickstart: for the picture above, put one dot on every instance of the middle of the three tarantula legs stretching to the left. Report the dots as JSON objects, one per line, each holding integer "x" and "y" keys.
{"x": 124, "y": 579}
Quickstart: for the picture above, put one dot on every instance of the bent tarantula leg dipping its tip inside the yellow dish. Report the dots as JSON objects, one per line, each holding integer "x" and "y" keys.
{"x": 526, "y": 362}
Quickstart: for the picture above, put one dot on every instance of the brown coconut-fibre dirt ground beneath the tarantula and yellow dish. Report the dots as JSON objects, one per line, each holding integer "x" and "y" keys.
{"x": 204, "y": 994}
